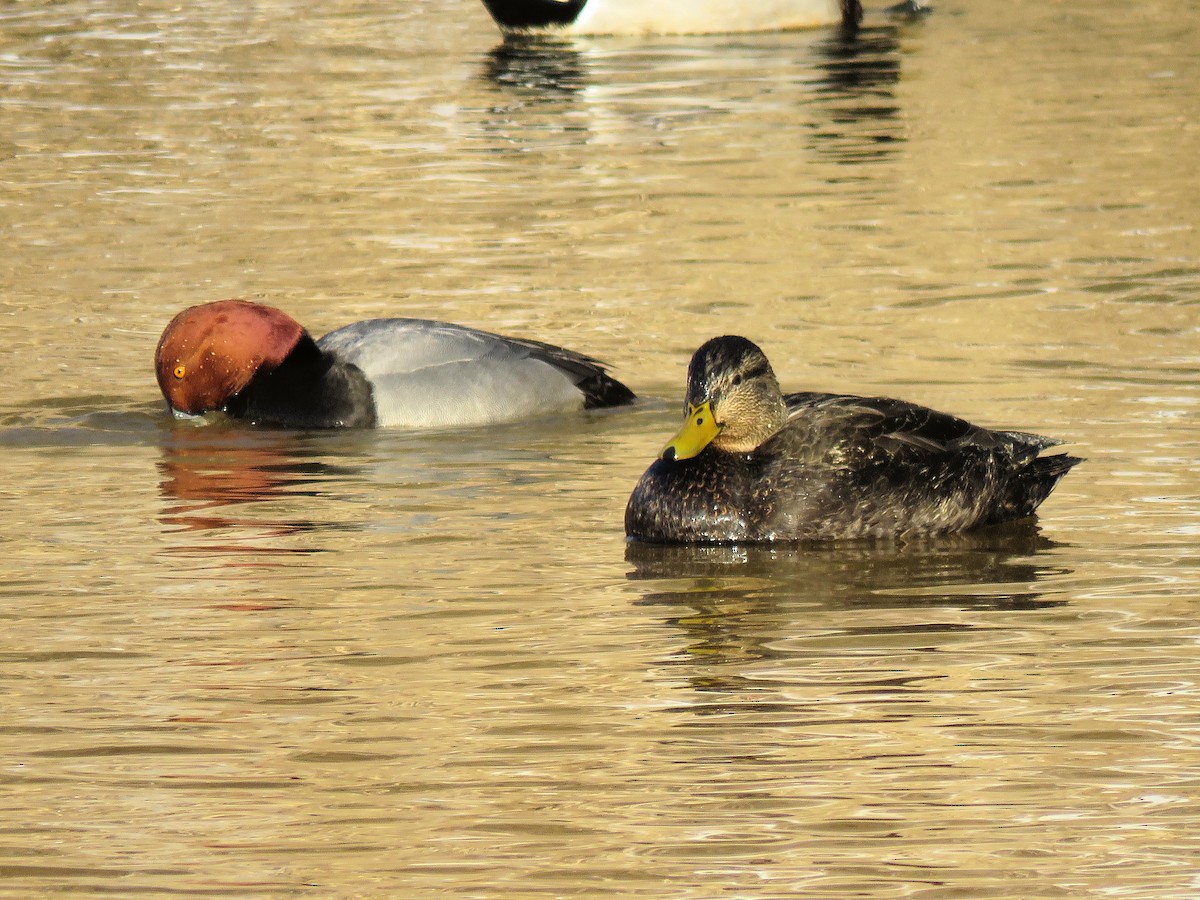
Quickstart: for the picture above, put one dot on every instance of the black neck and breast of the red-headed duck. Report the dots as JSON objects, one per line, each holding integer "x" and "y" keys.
{"x": 310, "y": 389}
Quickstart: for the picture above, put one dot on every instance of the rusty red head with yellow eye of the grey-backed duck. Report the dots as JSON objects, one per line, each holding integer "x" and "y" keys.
{"x": 211, "y": 353}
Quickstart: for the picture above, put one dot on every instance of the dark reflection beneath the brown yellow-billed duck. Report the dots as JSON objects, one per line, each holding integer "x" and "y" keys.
{"x": 741, "y": 604}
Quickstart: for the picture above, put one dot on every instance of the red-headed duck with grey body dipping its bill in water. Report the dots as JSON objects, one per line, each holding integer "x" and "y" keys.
{"x": 256, "y": 363}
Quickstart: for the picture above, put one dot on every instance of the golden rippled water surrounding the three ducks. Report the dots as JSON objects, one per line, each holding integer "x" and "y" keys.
{"x": 387, "y": 664}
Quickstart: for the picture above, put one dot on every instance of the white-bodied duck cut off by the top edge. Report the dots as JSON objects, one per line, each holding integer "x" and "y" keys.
{"x": 668, "y": 17}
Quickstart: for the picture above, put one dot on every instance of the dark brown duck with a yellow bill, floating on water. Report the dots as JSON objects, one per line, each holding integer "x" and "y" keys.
{"x": 753, "y": 465}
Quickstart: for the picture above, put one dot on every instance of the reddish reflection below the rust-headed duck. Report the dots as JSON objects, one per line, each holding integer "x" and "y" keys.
{"x": 218, "y": 479}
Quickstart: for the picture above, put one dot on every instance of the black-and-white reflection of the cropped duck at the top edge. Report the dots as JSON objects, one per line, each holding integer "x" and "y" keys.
{"x": 844, "y": 80}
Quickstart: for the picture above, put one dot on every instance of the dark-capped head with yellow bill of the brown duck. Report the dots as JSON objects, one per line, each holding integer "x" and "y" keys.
{"x": 734, "y": 400}
